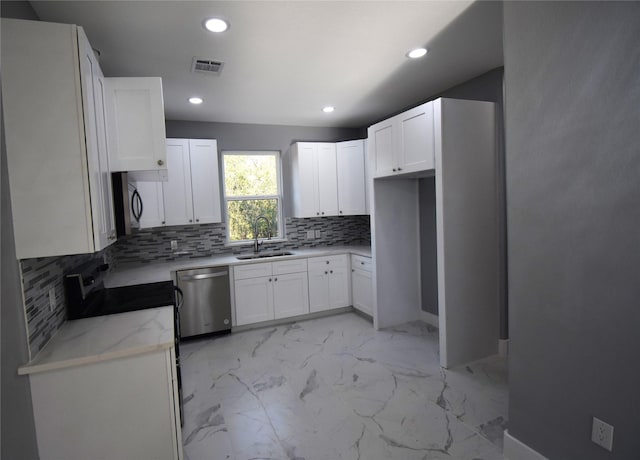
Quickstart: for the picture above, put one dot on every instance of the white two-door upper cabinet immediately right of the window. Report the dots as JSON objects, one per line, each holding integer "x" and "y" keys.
{"x": 314, "y": 181}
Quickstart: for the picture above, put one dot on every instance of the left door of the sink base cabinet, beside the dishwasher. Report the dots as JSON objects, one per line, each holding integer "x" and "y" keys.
{"x": 254, "y": 300}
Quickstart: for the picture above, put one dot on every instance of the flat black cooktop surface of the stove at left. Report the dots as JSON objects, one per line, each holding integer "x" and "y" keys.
{"x": 108, "y": 301}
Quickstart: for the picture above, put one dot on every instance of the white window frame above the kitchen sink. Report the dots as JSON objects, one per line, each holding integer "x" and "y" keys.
{"x": 278, "y": 197}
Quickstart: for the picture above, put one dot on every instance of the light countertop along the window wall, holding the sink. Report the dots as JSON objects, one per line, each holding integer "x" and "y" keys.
{"x": 128, "y": 274}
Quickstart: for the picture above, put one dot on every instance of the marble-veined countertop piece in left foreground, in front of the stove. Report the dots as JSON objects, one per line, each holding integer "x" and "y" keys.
{"x": 102, "y": 338}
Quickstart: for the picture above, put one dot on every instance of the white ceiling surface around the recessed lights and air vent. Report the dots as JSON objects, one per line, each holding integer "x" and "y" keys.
{"x": 285, "y": 60}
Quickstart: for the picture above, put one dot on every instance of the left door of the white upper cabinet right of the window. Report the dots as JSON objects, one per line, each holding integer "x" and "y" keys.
{"x": 305, "y": 181}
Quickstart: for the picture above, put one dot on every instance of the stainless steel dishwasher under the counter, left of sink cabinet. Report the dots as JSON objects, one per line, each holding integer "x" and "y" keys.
{"x": 206, "y": 306}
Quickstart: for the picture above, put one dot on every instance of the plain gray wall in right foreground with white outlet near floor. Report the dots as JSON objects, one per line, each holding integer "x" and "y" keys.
{"x": 572, "y": 78}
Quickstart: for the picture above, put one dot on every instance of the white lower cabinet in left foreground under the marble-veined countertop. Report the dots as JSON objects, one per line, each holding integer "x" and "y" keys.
{"x": 120, "y": 408}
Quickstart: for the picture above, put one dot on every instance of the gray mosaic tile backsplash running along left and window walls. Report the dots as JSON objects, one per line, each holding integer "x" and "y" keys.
{"x": 41, "y": 275}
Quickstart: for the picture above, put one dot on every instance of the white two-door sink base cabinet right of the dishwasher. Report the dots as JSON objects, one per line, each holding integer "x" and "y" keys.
{"x": 270, "y": 290}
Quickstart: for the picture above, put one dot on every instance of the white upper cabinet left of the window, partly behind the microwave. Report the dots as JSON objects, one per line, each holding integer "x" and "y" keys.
{"x": 191, "y": 195}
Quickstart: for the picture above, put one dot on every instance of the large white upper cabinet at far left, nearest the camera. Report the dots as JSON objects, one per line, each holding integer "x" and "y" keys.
{"x": 56, "y": 139}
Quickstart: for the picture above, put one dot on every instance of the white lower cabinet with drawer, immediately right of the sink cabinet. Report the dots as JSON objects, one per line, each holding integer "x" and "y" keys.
{"x": 328, "y": 282}
